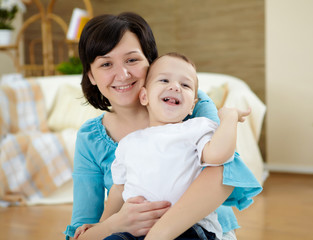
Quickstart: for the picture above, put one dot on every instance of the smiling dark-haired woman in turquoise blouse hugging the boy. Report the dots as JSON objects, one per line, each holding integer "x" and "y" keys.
{"x": 116, "y": 52}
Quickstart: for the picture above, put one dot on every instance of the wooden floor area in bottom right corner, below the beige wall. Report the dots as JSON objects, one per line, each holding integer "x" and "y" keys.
{"x": 284, "y": 210}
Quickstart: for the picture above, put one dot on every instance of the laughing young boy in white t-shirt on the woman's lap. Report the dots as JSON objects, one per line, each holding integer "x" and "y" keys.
{"x": 171, "y": 151}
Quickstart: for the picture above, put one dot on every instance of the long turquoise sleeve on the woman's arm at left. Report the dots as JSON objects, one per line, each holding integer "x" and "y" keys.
{"x": 88, "y": 202}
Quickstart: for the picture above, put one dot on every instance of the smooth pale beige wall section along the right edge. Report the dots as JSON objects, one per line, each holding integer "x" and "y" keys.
{"x": 289, "y": 85}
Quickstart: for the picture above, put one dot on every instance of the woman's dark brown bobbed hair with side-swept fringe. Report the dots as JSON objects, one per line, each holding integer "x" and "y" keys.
{"x": 99, "y": 36}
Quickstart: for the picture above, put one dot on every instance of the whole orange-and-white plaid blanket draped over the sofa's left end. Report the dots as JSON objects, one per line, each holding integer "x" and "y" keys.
{"x": 33, "y": 161}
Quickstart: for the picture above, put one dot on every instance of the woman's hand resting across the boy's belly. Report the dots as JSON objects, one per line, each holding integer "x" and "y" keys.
{"x": 138, "y": 215}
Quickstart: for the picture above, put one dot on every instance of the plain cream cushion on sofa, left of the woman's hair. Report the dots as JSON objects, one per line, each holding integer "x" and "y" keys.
{"x": 69, "y": 109}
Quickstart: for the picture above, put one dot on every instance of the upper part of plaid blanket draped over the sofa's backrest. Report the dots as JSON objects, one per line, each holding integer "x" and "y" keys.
{"x": 22, "y": 107}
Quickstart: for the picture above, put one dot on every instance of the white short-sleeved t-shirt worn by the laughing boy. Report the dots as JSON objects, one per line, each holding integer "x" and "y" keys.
{"x": 159, "y": 163}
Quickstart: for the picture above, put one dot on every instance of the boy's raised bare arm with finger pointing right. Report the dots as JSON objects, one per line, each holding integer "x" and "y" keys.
{"x": 223, "y": 143}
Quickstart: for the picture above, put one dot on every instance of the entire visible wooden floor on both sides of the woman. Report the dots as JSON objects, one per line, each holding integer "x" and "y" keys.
{"x": 283, "y": 211}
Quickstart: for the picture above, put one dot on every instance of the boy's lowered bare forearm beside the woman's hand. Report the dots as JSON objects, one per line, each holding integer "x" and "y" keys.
{"x": 114, "y": 202}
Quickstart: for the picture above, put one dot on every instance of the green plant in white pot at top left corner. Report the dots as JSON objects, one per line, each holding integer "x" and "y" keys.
{"x": 8, "y": 11}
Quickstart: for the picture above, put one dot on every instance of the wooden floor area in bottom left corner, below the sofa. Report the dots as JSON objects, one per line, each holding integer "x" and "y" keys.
{"x": 35, "y": 222}
